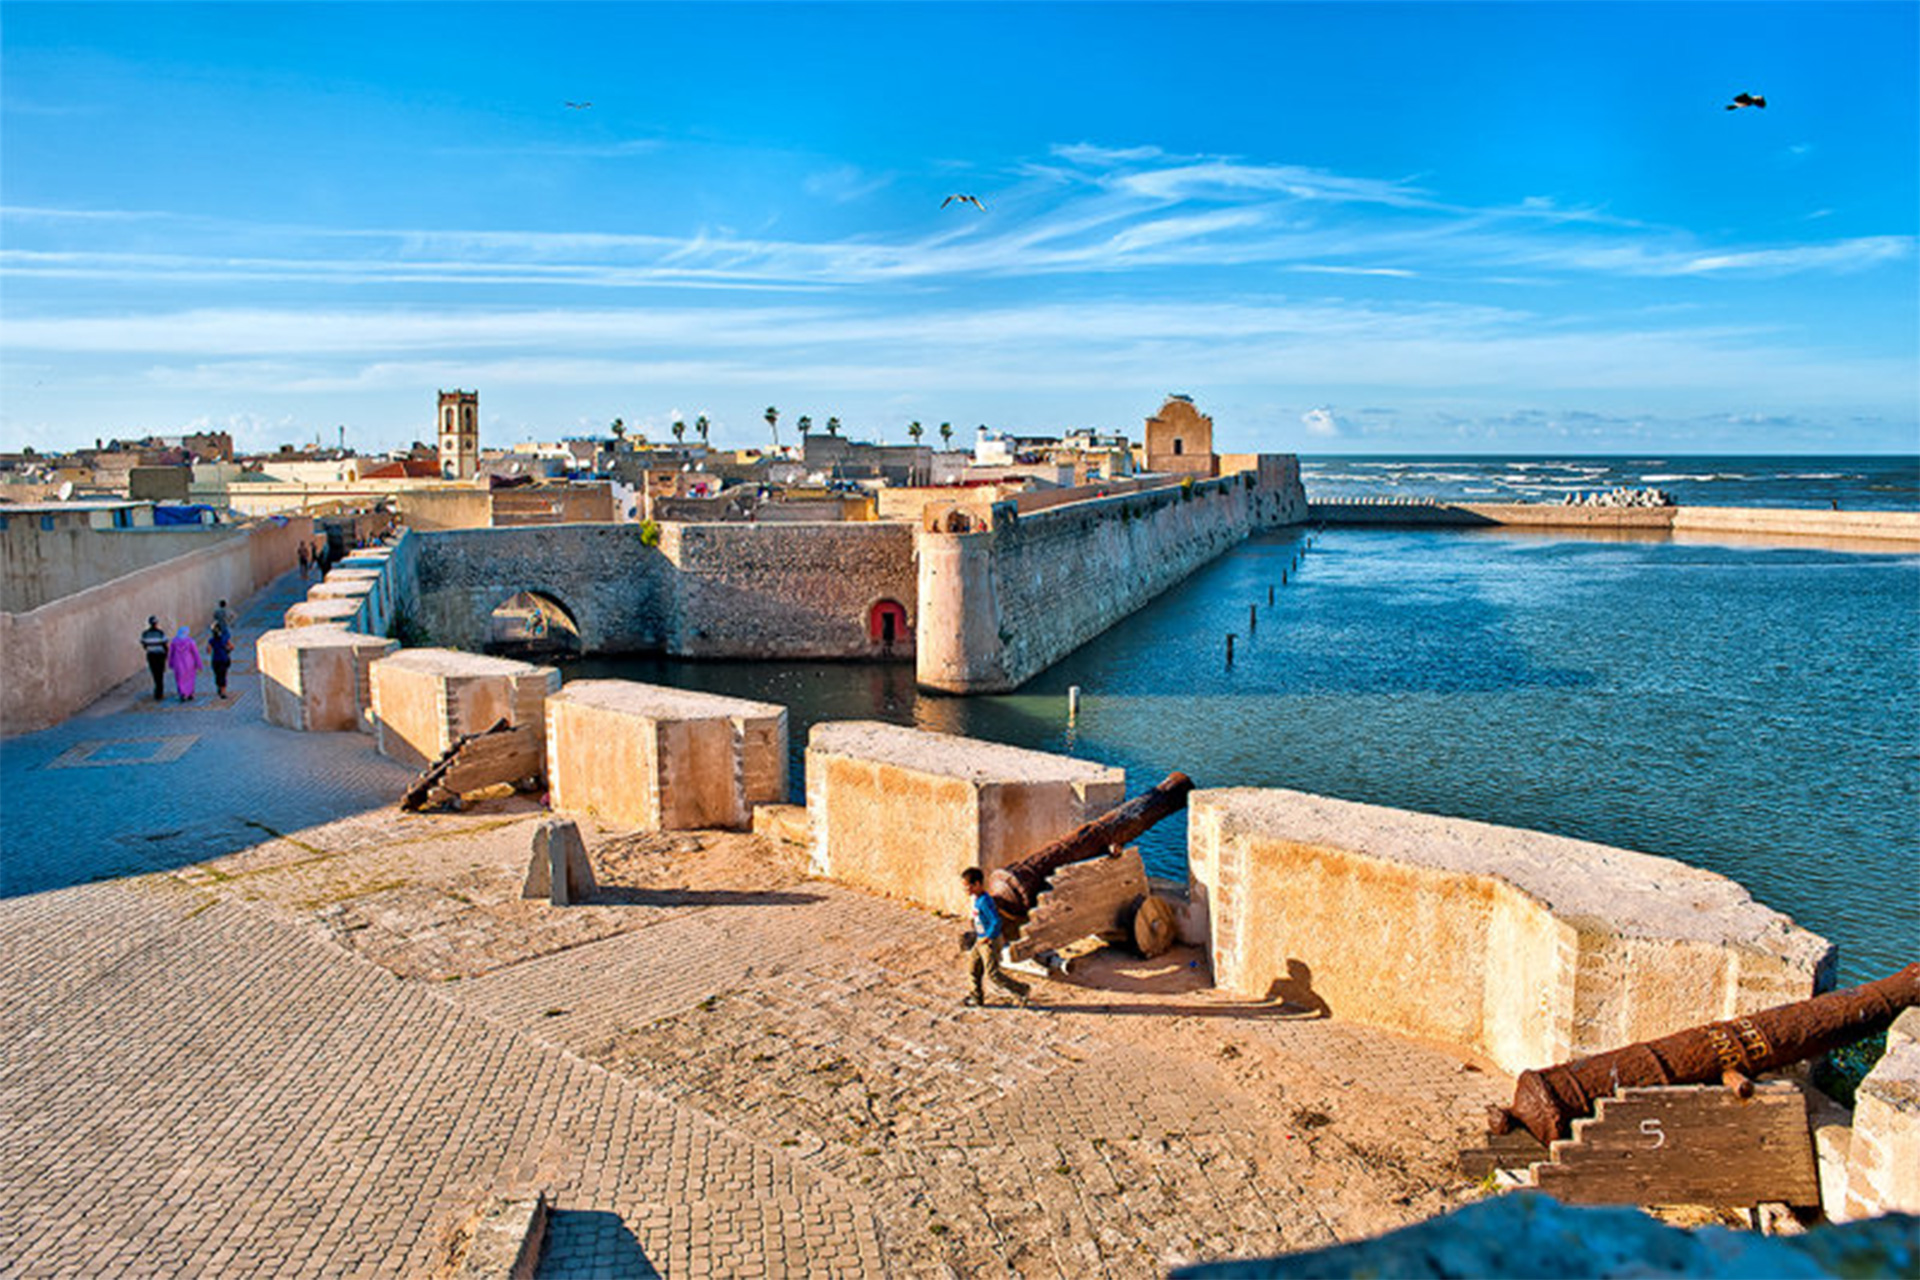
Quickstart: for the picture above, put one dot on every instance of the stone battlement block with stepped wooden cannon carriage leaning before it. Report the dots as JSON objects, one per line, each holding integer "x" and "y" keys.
{"x": 427, "y": 699}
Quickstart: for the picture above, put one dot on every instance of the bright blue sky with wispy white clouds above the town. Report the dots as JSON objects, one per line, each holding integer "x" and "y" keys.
{"x": 1341, "y": 227}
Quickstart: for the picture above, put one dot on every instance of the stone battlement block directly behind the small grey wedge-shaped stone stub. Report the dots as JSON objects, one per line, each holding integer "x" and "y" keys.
{"x": 663, "y": 759}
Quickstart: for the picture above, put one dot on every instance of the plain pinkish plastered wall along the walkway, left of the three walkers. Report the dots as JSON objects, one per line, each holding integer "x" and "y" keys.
{"x": 66, "y": 653}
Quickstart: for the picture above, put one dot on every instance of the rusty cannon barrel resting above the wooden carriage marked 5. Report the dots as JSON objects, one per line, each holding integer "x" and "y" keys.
{"x": 1550, "y": 1101}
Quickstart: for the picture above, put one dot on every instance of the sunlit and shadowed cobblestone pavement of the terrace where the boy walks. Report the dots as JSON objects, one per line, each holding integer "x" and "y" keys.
{"x": 258, "y": 1022}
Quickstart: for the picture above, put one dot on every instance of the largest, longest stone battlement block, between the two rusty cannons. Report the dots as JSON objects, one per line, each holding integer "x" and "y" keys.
{"x": 1527, "y": 947}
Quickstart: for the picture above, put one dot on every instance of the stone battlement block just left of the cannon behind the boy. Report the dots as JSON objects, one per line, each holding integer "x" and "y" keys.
{"x": 905, "y": 811}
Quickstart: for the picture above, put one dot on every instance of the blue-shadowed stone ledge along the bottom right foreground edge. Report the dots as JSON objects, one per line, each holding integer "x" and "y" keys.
{"x": 1529, "y": 1235}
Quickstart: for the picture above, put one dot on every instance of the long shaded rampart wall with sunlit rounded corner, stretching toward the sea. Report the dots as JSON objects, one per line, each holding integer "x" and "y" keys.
{"x": 1005, "y": 604}
